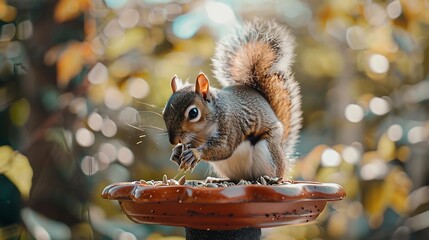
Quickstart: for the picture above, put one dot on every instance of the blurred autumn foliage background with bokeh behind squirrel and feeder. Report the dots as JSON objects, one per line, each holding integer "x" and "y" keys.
{"x": 83, "y": 83}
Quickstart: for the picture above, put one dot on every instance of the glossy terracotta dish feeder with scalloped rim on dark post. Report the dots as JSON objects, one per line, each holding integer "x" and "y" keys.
{"x": 215, "y": 210}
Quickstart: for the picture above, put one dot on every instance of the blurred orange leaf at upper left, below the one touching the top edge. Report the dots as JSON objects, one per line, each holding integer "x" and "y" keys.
{"x": 69, "y": 64}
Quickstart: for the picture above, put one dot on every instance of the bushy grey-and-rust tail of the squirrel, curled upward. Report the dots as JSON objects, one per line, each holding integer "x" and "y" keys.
{"x": 260, "y": 54}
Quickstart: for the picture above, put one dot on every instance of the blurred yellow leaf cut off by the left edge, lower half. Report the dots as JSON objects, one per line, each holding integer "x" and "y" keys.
{"x": 16, "y": 167}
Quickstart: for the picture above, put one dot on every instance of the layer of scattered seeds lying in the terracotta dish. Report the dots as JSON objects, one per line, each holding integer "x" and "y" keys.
{"x": 214, "y": 182}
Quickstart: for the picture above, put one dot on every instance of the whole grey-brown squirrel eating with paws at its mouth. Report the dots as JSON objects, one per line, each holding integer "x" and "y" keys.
{"x": 248, "y": 128}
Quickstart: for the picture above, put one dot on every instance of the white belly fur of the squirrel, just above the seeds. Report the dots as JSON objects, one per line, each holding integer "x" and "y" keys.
{"x": 247, "y": 162}
